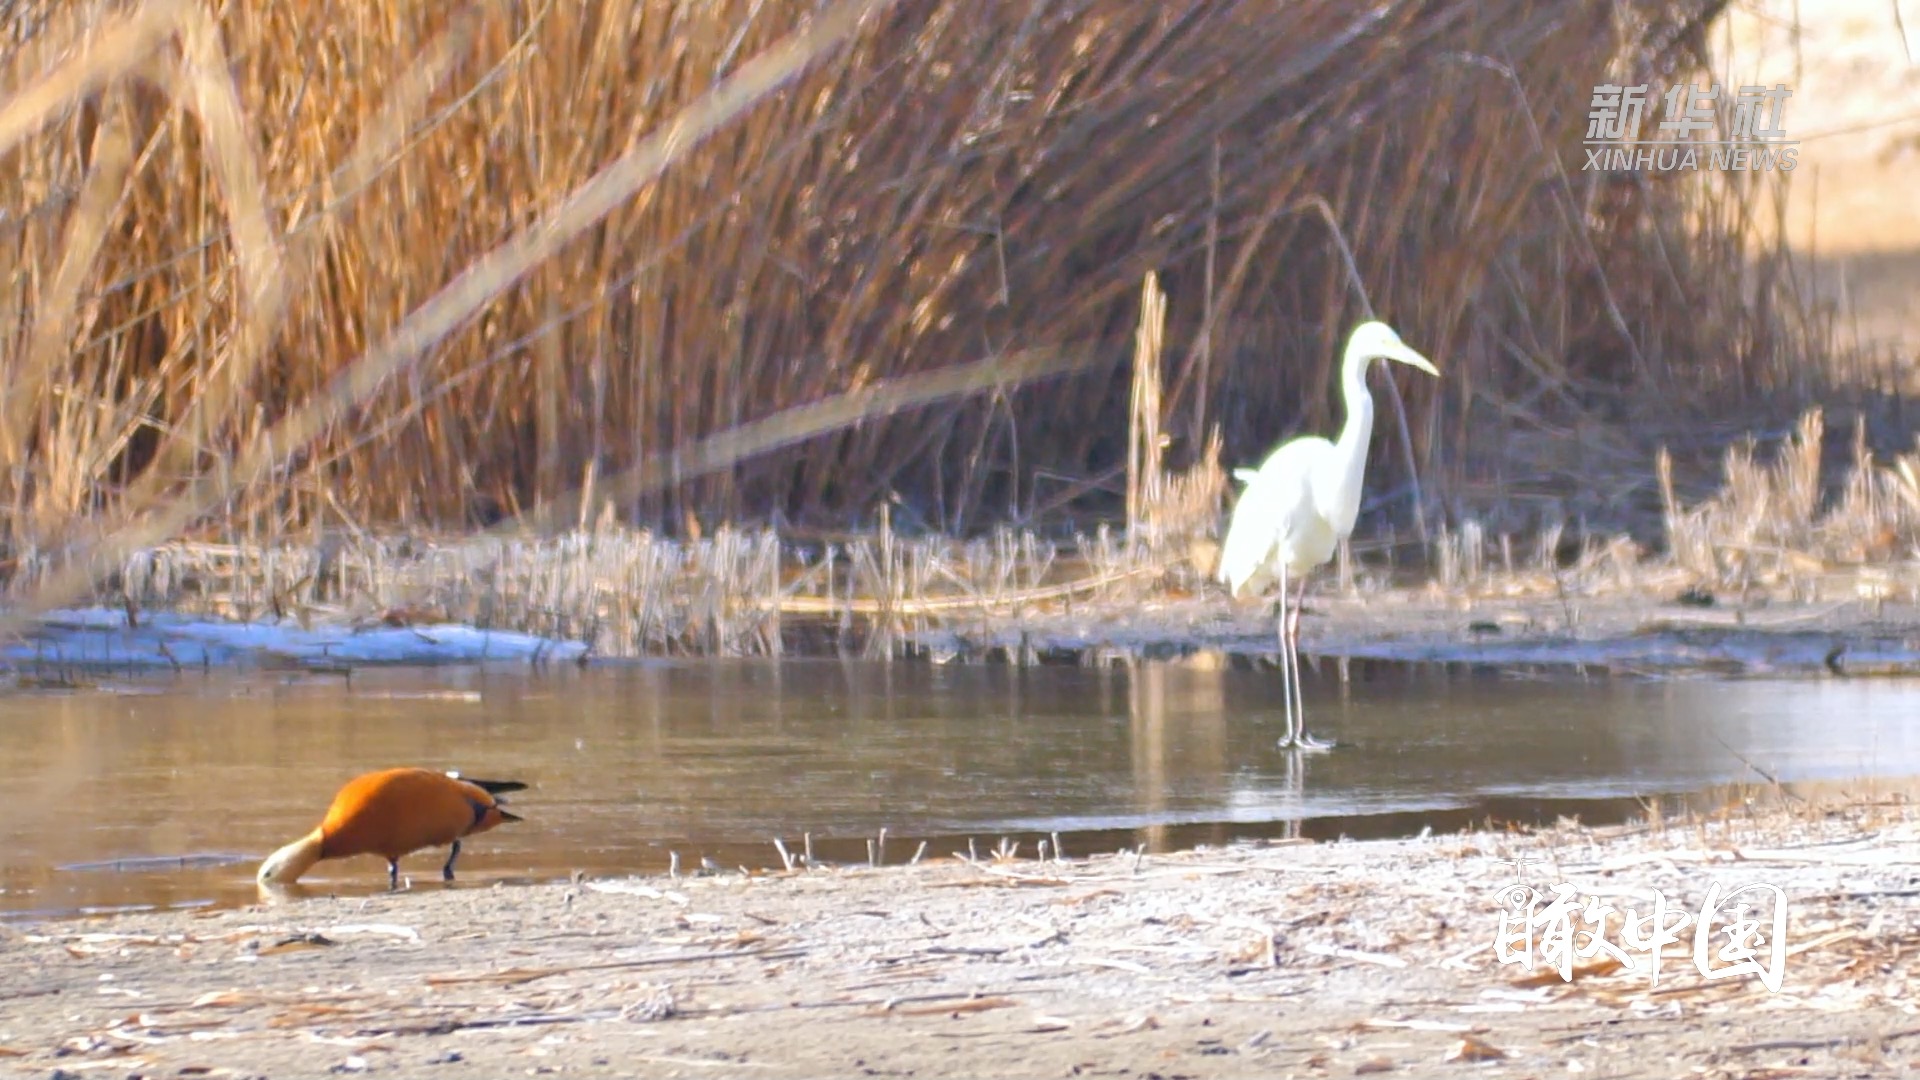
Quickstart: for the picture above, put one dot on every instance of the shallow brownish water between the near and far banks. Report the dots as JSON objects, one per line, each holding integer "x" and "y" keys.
{"x": 168, "y": 793}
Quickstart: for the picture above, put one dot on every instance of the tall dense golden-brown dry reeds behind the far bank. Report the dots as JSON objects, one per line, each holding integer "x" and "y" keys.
{"x": 212, "y": 224}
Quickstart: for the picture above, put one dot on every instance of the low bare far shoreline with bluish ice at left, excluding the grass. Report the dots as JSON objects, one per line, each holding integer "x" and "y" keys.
{"x": 1656, "y": 622}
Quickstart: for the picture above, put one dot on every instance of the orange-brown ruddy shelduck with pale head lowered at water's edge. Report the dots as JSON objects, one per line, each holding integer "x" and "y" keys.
{"x": 395, "y": 814}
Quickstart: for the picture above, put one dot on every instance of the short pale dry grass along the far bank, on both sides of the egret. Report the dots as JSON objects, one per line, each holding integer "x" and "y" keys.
{"x": 1785, "y": 529}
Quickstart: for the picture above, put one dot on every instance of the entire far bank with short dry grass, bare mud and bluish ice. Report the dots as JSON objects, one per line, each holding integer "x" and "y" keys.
{"x": 1764, "y": 576}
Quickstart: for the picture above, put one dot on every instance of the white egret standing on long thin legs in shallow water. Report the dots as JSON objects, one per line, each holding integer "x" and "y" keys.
{"x": 1303, "y": 503}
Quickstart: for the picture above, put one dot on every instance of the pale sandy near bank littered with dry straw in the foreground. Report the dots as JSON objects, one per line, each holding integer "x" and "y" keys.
{"x": 1308, "y": 960}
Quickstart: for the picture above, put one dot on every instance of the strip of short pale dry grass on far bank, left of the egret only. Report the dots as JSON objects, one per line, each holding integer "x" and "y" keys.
{"x": 633, "y": 593}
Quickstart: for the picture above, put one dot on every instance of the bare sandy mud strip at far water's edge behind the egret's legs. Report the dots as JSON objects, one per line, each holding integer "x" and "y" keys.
{"x": 1524, "y": 622}
